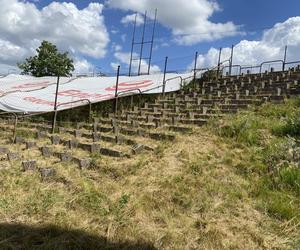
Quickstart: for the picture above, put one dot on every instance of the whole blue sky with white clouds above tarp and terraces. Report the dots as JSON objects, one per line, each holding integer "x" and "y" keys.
{"x": 98, "y": 33}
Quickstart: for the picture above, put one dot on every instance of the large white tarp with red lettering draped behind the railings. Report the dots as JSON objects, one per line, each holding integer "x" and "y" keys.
{"x": 30, "y": 95}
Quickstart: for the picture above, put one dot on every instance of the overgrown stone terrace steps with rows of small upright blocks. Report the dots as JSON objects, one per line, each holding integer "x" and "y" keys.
{"x": 141, "y": 129}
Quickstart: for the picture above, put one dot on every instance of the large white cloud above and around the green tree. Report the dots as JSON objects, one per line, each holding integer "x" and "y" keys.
{"x": 23, "y": 26}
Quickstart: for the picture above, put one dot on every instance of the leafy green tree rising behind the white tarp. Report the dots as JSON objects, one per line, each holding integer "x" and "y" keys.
{"x": 48, "y": 62}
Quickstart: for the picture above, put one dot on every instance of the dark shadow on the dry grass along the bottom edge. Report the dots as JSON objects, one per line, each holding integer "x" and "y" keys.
{"x": 17, "y": 236}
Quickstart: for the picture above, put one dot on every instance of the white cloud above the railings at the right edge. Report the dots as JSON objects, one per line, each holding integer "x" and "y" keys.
{"x": 270, "y": 47}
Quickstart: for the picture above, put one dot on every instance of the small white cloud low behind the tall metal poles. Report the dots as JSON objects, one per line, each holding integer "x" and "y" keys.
{"x": 124, "y": 58}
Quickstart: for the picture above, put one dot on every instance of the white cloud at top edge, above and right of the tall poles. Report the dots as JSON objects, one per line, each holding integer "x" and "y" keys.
{"x": 189, "y": 21}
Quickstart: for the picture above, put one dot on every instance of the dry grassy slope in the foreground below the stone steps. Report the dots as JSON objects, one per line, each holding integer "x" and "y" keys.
{"x": 233, "y": 184}
